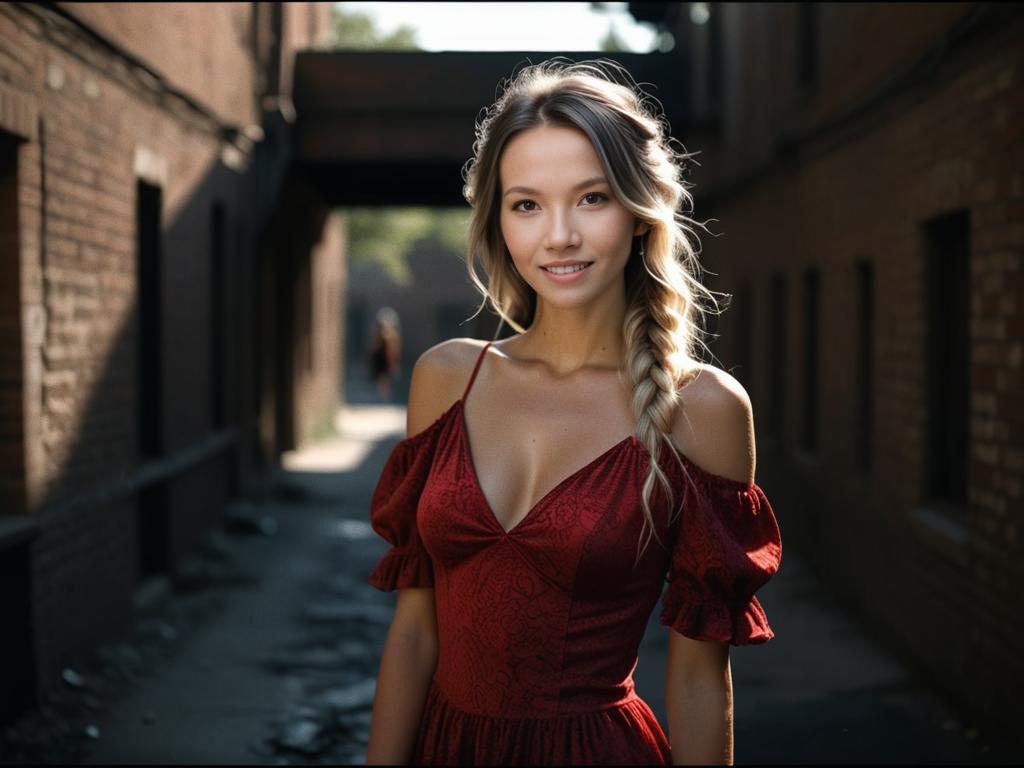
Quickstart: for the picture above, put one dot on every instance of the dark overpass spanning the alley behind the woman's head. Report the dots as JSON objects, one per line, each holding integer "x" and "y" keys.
{"x": 396, "y": 129}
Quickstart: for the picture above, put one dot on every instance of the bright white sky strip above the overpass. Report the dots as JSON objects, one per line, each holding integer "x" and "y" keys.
{"x": 488, "y": 26}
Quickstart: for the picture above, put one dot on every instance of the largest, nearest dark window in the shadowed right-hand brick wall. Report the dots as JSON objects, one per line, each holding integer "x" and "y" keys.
{"x": 947, "y": 242}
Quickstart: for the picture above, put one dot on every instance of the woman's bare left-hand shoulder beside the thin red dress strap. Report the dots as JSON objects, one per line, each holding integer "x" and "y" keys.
{"x": 440, "y": 378}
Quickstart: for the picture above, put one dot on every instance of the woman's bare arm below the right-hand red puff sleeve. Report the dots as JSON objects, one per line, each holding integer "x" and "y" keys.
{"x": 699, "y": 701}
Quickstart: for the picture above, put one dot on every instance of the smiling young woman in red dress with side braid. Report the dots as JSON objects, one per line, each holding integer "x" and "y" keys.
{"x": 551, "y": 482}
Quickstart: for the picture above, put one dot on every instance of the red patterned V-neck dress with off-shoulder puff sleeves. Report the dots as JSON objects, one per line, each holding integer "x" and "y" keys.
{"x": 539, "y": 626}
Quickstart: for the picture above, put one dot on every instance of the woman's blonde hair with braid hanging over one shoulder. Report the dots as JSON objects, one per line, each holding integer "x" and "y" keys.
{"x": 662, "y": 276}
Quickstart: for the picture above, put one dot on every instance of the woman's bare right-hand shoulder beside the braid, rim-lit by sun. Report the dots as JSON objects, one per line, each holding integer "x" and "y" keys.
{"x": 714, "y": 426}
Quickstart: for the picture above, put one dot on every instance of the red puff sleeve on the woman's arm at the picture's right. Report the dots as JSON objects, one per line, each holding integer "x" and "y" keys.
{"x": 729, "y": 546}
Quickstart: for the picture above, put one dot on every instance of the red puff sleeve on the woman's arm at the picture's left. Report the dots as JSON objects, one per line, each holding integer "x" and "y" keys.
{"x": 393, "y": 515}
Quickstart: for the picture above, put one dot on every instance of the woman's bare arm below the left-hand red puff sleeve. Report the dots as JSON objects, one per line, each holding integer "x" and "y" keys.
{"x": 407, "y": 668}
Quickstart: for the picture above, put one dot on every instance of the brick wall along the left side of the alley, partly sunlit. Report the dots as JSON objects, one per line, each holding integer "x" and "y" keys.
{"x": 103, "y": 124}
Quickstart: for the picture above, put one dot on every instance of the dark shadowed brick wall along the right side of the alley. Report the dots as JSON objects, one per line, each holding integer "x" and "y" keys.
{"x": 952, "y": 141}
